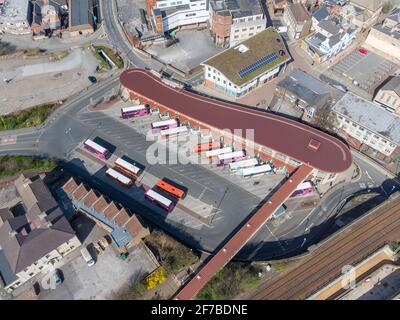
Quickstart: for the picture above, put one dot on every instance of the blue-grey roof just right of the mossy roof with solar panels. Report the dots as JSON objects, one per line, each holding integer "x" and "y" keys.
{"x": 305, "y": 86}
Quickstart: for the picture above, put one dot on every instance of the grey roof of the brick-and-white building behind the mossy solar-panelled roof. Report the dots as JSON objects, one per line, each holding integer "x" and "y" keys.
{"x": 237, "y": 8}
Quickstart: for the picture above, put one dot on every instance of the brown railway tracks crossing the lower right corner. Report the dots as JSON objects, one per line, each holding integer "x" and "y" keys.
{"x": 347, "y": 248}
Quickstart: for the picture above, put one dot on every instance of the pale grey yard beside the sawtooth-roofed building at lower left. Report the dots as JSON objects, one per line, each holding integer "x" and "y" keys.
{"x": 107, "y": 276}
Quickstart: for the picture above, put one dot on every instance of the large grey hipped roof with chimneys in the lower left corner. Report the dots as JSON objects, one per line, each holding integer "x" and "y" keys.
{"x": 27, "y": 238}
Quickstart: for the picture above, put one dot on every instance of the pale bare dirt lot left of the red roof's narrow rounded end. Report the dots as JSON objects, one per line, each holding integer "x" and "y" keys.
{"x": 43, "y": 81}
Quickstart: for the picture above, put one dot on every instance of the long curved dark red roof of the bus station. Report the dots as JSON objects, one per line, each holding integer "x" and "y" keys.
{"x": 274, "y": 132}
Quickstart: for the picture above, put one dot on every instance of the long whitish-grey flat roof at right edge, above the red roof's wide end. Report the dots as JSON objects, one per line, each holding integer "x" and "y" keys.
{"x": 370, "y": 115}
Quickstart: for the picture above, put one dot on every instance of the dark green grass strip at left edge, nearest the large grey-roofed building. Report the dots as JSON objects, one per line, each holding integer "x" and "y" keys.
{"x": 11, "y": 165}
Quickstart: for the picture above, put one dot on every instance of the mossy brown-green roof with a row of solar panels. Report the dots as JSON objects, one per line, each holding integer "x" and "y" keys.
{"x": 230, "y": 62}
